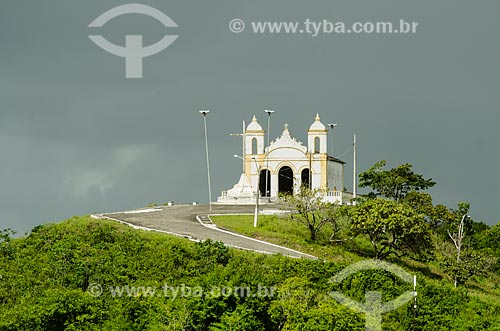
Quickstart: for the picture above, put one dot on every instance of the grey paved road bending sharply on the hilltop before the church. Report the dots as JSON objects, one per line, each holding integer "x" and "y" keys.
{"x": 181, "y": 220}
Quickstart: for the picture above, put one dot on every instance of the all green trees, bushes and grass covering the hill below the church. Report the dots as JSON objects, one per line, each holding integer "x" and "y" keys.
{"x": 86, "y": 274}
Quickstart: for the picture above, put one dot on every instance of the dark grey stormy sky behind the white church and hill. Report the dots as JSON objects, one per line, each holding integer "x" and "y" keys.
{"x": 77, "y": 137}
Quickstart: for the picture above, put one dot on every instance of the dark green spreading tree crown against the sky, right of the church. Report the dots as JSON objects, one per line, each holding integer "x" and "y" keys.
{"x": 394, "y": 183}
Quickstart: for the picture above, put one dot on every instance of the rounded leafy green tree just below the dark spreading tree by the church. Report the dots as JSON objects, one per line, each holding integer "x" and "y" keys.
{"x": 393, "y": 228}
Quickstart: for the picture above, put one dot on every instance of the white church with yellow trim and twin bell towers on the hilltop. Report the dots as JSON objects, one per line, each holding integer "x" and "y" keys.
{"x": 285, "y": 165}
